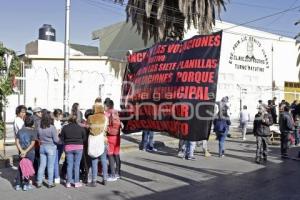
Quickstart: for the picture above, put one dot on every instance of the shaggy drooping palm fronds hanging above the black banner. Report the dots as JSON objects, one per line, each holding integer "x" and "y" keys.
{"x": 166, "y": 19}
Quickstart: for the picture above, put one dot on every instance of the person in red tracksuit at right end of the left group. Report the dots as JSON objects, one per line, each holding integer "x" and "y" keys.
{"x": 113, "y": 139}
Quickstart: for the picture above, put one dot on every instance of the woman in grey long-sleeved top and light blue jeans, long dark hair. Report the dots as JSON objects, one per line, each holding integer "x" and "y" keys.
{"x": 47, "y": 135}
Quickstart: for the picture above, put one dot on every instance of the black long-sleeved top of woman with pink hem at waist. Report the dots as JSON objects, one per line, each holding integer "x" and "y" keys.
{"x": 73, "y": 134}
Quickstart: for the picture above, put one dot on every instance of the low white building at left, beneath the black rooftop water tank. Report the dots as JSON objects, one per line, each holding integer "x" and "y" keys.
{"x": 90, "y": 76}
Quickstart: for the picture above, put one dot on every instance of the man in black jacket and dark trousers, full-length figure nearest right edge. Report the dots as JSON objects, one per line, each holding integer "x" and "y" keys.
{"x": 286, "y": 126}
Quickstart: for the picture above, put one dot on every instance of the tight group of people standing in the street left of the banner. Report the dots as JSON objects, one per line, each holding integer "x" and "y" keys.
{"x": 42, "y": 137}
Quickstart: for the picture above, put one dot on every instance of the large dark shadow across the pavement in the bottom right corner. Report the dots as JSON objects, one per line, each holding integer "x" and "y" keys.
{"x": 276, "y": 182}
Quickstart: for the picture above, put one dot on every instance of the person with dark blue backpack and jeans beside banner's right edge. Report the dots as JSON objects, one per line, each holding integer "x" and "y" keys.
{"x": 221, "y": 128}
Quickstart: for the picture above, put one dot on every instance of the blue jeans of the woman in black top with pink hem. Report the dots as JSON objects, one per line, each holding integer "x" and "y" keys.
{"x": 73, "y": 162}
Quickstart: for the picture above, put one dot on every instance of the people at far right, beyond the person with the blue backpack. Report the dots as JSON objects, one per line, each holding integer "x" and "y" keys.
{"x": 289, "y": 126}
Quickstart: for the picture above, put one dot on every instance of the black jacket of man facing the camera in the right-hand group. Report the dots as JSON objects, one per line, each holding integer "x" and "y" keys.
{"x": 262, "y": 123}
